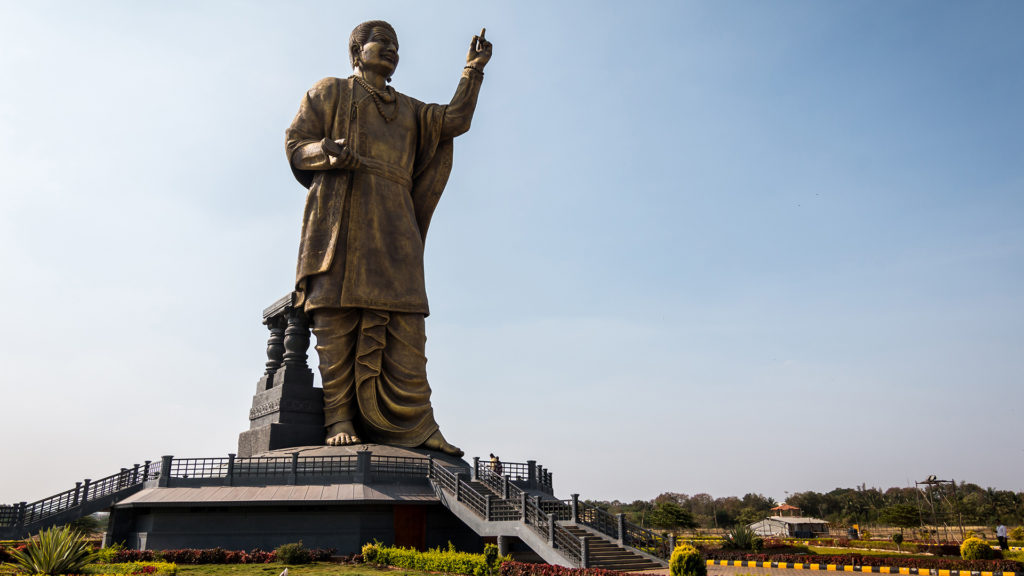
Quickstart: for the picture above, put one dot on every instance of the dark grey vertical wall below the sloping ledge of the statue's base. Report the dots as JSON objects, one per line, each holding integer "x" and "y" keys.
{"x": 345, "y": 528}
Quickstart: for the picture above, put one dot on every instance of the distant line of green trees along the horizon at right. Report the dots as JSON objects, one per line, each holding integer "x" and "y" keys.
{"x": 963, "y": 504}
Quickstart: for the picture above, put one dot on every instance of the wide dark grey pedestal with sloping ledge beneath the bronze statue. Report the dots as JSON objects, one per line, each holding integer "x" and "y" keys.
{"x": 387, "y": 497}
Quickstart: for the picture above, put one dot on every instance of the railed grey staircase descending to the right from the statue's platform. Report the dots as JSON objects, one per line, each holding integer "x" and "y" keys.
{"x": 565, "y": 532}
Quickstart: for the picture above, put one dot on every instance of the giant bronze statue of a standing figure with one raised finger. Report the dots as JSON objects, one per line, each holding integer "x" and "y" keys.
{"x": 375, "y": 162}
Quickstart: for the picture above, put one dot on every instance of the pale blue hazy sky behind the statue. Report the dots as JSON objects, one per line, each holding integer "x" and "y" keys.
{"x": 719, "y": 248}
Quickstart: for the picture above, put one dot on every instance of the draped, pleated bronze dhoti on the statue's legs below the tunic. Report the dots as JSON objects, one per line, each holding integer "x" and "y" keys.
{"x": 375, "y": 374}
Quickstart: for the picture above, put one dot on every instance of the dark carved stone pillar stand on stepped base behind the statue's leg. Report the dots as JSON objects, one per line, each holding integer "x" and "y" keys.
{"x": 287, "y": 410}
